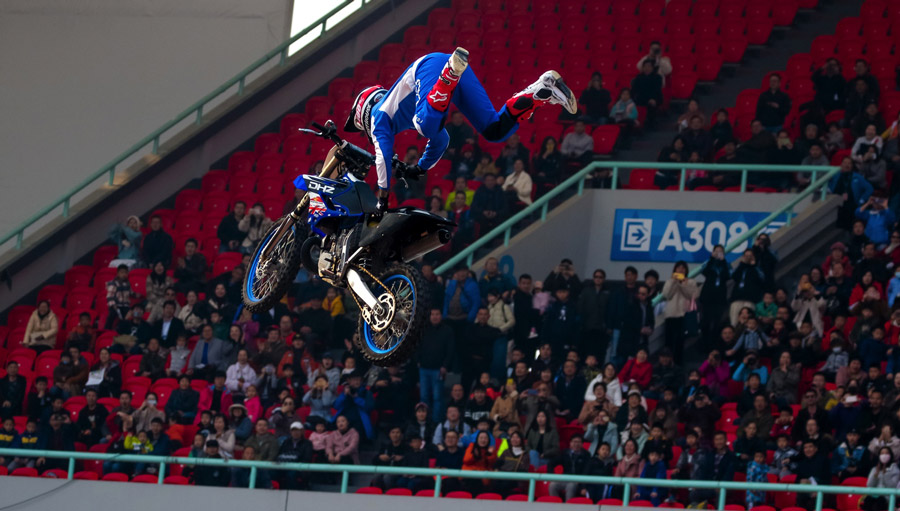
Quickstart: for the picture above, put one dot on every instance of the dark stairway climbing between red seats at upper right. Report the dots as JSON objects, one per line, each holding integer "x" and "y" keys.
{"x": 783, "y": 43}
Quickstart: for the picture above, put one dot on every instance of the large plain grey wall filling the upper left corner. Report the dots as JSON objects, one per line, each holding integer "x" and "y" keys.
{"x": 83, "y": 80}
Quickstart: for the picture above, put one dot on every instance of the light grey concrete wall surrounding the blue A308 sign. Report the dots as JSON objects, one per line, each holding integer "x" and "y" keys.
{"x": 582, "y": 228}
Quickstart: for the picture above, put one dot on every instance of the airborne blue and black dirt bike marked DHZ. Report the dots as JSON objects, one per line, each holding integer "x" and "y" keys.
{"x": 347, "y": 248}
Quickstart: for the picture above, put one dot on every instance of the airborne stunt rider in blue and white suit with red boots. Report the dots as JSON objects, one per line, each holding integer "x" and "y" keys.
{"x": 420, "y": 98}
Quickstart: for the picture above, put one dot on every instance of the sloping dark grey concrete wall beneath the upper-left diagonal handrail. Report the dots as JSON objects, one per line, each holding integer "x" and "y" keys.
{"x": 61, "y": 244}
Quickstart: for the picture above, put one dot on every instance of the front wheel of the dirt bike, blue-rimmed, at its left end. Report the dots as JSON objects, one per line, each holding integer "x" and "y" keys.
{"x": 267, "y": 280}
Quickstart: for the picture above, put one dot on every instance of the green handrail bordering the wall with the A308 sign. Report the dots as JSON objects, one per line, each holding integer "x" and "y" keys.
{"x": 579, "y": 178}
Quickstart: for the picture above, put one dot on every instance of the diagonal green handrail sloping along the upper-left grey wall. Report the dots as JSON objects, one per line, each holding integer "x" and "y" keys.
{"x": 154, "y": 138}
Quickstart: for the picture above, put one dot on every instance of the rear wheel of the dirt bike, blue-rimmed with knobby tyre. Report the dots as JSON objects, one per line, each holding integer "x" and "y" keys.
{"x": 394, "y": 344}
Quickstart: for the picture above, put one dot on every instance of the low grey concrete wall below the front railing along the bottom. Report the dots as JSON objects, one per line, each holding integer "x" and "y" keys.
{"x": 26, "y": 494}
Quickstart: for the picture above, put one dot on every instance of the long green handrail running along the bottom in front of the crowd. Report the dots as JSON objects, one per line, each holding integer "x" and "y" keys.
{"x": 438, "y": 474}
